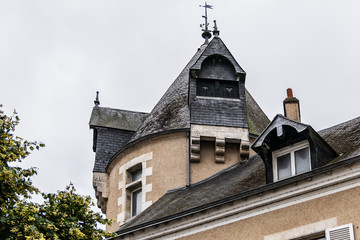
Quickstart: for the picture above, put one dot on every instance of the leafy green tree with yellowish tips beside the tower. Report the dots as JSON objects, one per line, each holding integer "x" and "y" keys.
{"x": 62, "y": 215}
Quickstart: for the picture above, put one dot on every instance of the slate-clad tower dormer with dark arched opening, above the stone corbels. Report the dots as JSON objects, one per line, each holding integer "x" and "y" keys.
{"x": 217, "y": 88}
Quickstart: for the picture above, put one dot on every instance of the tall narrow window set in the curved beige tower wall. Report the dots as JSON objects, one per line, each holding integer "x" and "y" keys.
{"x": 134, "y": 190}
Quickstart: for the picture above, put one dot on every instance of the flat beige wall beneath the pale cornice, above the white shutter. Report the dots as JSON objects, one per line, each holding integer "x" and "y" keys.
{"x": 342, "y": 207}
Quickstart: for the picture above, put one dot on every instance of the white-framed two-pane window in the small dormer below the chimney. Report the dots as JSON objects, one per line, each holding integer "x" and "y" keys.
{"x": 291, "y": 161}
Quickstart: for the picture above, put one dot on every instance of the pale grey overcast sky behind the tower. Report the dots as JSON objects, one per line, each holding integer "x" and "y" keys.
{"x": 54, "y": 56}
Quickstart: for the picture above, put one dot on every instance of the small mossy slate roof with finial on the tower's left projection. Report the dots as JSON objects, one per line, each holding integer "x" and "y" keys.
{"x": 116, "y": 118}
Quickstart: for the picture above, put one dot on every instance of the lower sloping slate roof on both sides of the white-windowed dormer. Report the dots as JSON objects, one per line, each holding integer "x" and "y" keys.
{"x": 240, "y": 180}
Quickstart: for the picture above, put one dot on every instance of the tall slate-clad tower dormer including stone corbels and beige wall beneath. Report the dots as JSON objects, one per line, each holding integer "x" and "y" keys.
{"x": 218, "y": 115}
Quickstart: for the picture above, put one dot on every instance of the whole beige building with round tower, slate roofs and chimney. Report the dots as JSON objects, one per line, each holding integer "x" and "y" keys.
{"x": 186, "y": 169}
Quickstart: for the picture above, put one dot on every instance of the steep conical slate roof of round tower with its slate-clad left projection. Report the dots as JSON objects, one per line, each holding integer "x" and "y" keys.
{"x": 171, "y": 114}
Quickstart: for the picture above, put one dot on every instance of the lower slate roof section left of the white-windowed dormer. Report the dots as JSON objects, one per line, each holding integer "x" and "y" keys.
{"x": 235, "y": 179}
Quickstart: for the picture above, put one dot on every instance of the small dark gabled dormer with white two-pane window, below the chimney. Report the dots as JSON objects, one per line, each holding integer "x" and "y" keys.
{"x": 290, "y": 148}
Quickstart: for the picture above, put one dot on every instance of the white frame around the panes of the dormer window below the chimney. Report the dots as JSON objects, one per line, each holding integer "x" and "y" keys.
{"x": 289, "y": 150}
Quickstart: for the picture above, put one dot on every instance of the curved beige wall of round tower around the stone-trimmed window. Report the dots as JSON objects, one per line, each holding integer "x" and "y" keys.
{"x": 168, "y": 163}
